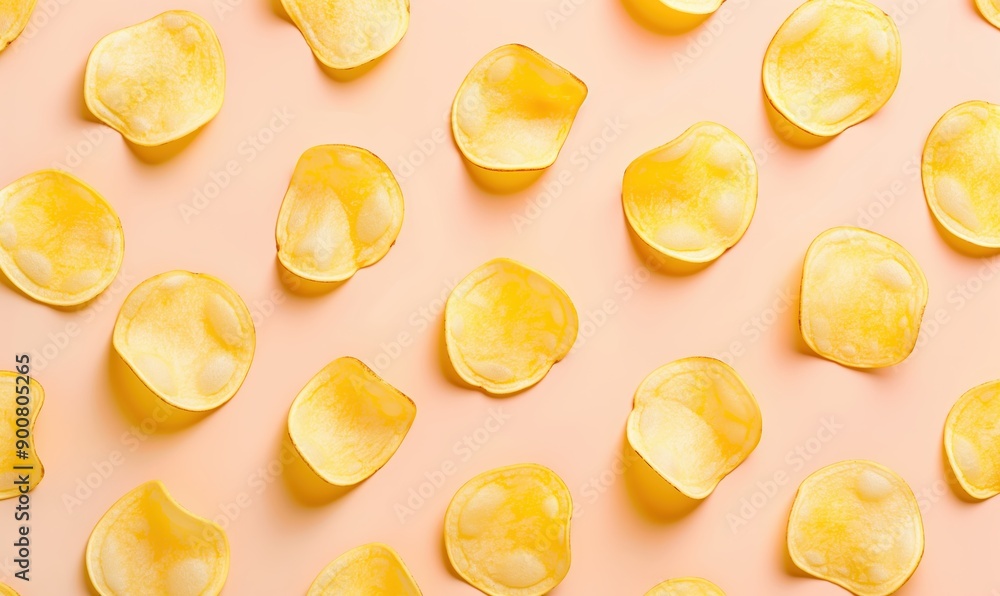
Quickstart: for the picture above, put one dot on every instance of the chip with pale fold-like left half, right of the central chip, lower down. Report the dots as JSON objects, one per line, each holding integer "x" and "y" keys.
{"x": 694, "y": 421}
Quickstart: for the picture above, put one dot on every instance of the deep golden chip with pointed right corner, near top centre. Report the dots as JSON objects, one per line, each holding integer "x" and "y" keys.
{"x": 514, "y": 110}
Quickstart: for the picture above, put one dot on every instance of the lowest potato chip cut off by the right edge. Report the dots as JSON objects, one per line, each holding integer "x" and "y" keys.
{"x": 972, "y": 440}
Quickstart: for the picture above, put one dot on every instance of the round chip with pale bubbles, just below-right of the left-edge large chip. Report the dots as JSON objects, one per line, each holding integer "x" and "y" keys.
{"x": 188, "y": 337}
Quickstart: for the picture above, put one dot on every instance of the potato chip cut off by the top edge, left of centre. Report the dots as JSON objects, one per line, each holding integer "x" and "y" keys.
{"x": 346, "y": 34}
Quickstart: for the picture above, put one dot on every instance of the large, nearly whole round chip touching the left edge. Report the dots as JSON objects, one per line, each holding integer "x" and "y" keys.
{"x": 61, "y": 243}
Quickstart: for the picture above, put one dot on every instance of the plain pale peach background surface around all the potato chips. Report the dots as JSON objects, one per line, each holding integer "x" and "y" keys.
{"x": 573, "y": 421}
